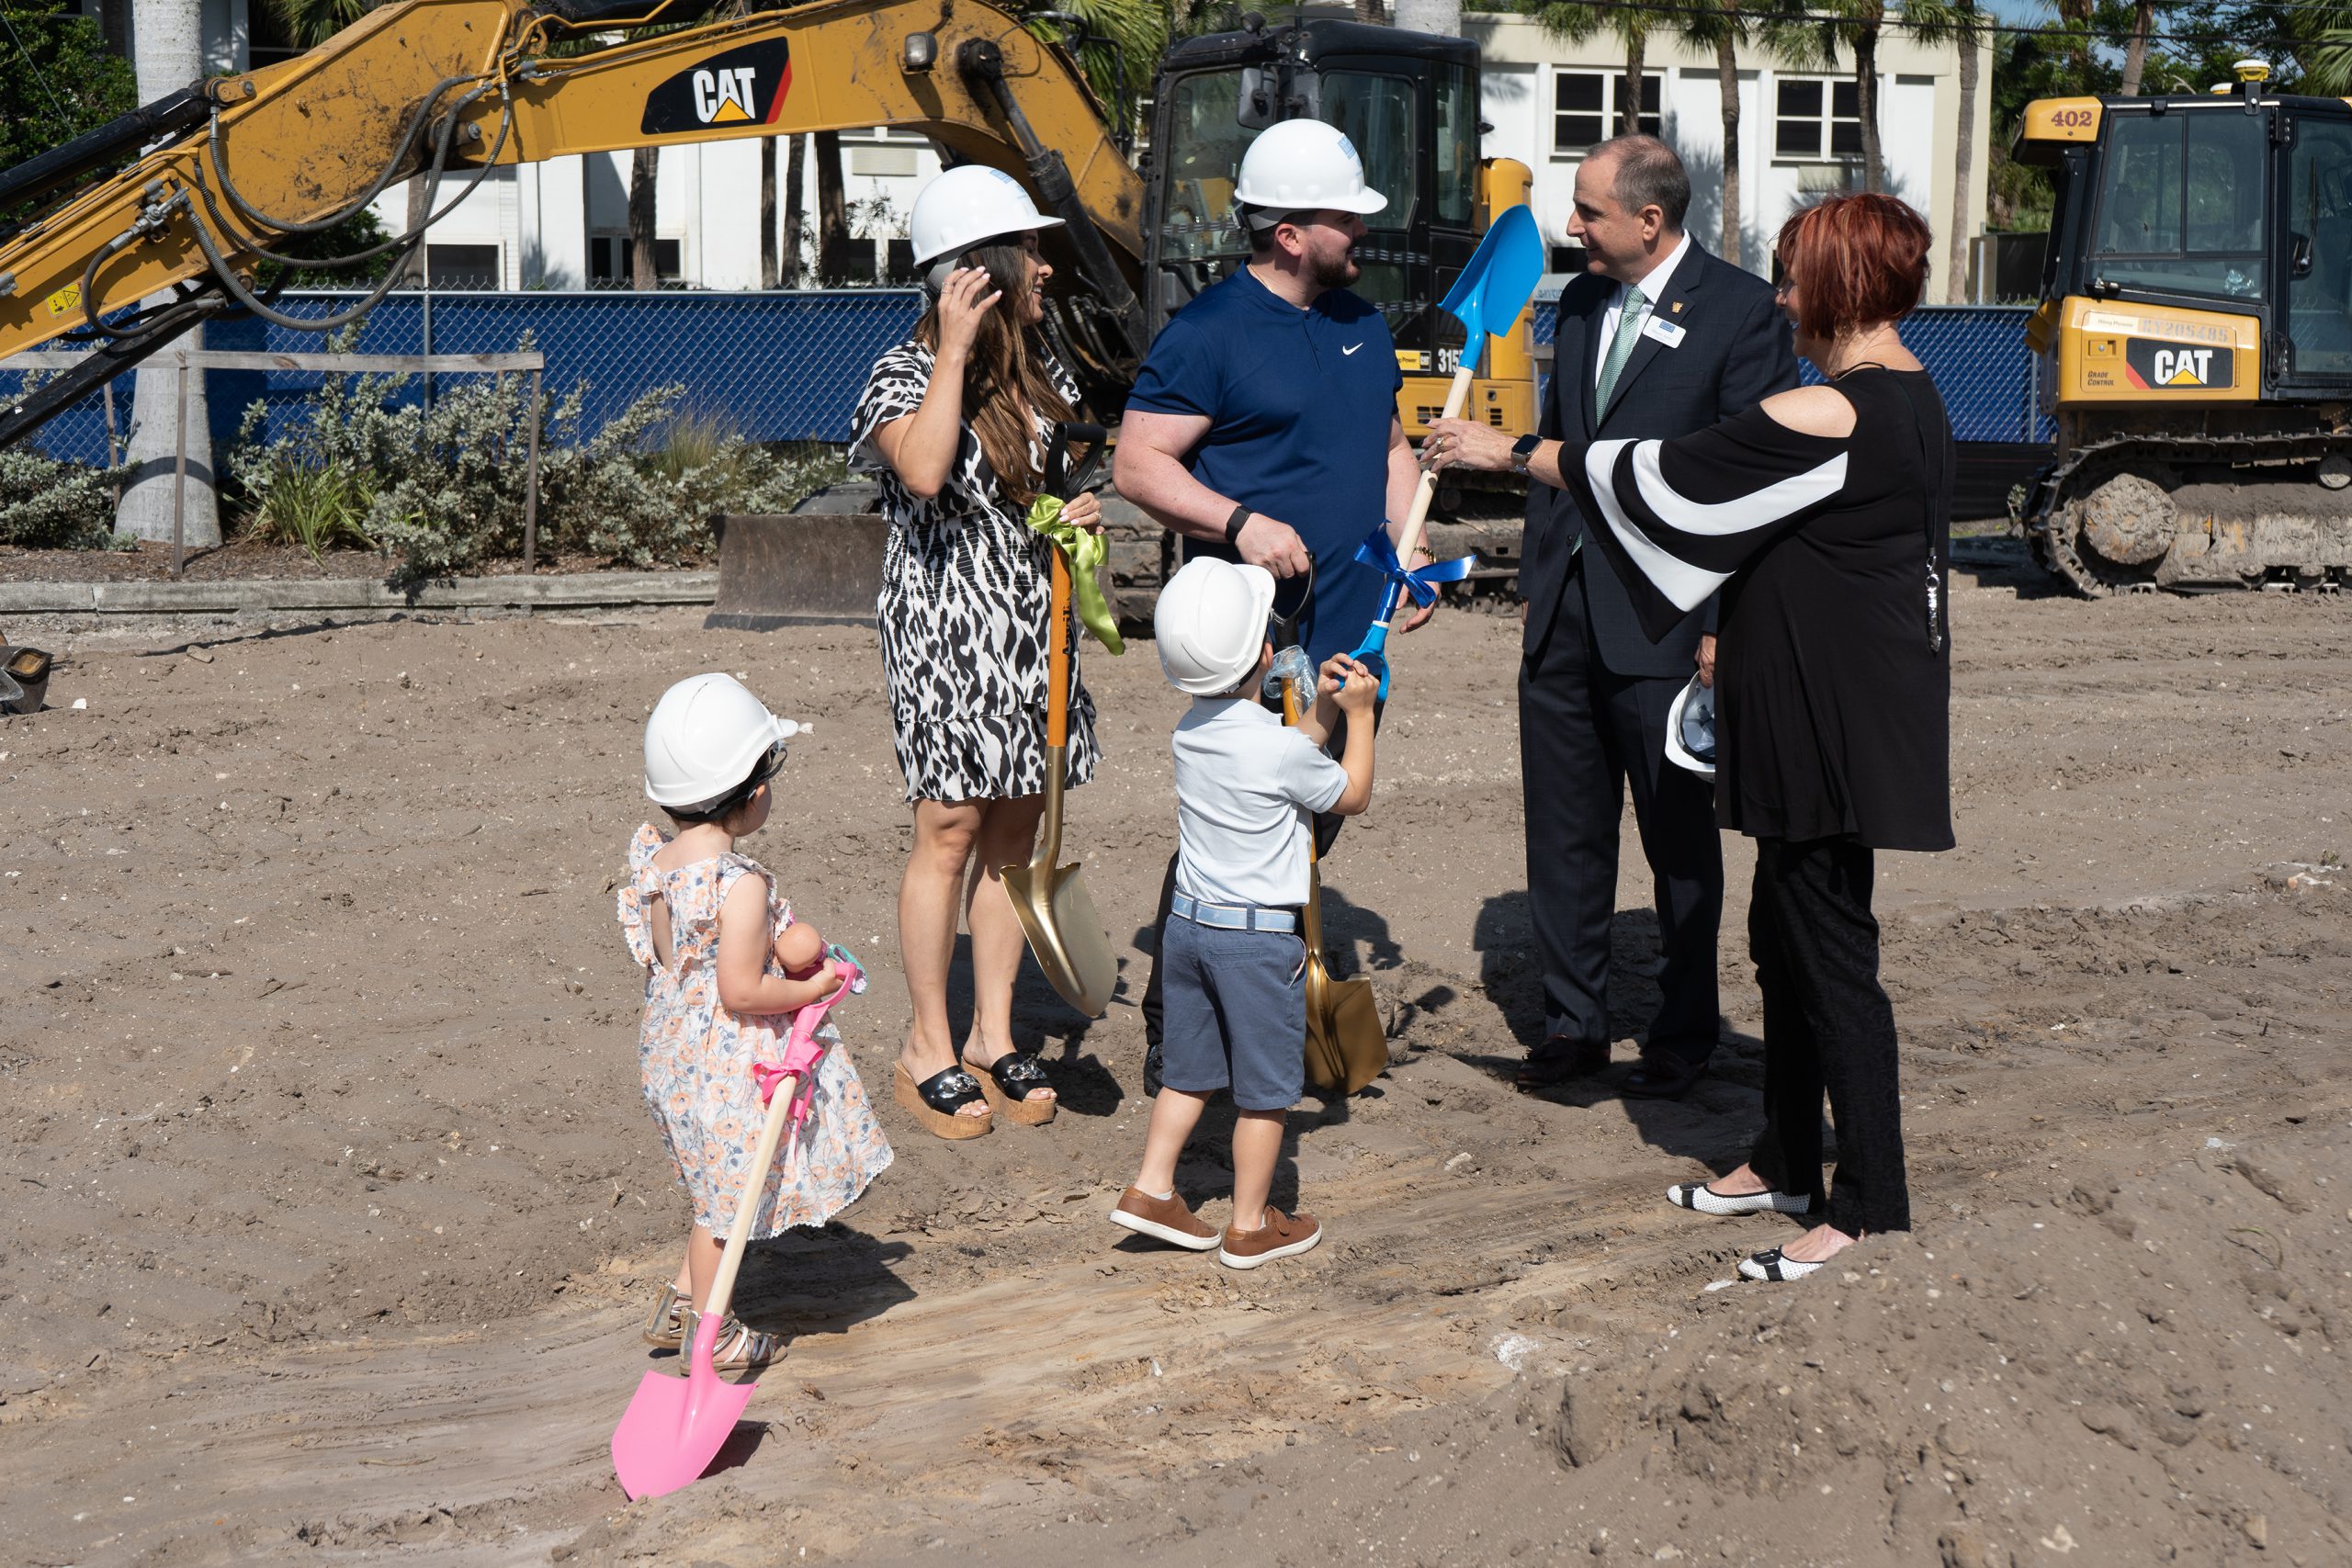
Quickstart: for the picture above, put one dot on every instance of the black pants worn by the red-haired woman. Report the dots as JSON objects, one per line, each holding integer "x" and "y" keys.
{"x": 1826, "y": 1028}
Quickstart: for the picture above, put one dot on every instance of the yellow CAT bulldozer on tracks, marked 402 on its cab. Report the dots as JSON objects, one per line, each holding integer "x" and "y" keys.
{"x": 2196, "y": 330}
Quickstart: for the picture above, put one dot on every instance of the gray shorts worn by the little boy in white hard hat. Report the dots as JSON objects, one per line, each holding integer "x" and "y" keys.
{"x": 1236, "y": 1014}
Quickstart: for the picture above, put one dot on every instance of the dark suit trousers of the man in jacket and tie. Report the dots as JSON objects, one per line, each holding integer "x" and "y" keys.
{"x": 1589, "y": 735}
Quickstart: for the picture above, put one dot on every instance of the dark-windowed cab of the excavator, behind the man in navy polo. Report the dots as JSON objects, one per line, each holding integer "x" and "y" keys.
{"x": 1410, "y": 105}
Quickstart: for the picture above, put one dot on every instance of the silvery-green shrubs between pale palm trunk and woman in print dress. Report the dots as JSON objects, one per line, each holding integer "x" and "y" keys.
{"x": 446, "y": 488}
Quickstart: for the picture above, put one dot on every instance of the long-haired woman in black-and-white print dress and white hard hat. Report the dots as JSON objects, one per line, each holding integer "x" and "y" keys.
{"x": 956, "y": 424}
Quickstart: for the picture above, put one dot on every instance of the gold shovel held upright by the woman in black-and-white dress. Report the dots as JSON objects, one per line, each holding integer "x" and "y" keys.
{"x": 1053, "y": 902}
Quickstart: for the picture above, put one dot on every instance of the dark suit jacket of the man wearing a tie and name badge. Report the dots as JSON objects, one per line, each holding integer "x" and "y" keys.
{"x": 1735, "y": 354}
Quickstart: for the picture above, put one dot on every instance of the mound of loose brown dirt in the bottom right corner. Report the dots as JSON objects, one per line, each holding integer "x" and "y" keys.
{"x": 2137, "y": 1372}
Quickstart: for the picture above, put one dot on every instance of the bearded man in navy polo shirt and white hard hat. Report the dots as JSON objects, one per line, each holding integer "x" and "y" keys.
{"x": 1264, "y": 424}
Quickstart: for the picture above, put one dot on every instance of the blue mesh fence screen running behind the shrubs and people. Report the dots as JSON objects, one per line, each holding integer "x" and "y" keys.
{"x": 789, "y": 366}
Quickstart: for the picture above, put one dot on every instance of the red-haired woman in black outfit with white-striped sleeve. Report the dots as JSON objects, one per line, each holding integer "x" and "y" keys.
{"x": 1824, "y": 518}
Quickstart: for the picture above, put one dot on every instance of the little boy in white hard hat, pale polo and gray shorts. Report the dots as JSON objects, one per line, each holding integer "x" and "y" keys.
{"x": 1231, "y": 958}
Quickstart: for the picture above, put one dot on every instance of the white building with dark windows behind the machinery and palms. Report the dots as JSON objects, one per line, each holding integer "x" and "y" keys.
{"x": 563, "y": 225}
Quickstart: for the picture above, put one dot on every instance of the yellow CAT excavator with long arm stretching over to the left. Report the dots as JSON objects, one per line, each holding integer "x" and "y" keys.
{"x": 243, "y": 170}
